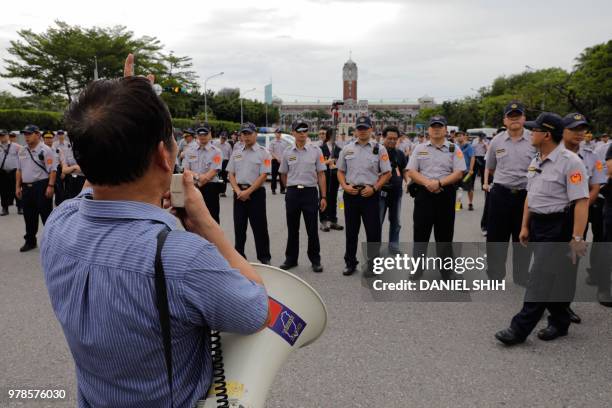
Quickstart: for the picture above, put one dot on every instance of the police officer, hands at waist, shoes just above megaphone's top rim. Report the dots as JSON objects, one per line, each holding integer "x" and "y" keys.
{"x": 248, "y": 169}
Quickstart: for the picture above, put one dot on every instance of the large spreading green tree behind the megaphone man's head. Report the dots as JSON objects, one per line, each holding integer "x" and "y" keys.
{"x": 61, "y": 60}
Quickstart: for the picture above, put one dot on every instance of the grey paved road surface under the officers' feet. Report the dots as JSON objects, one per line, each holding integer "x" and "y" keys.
{"x": 373, "y": 354}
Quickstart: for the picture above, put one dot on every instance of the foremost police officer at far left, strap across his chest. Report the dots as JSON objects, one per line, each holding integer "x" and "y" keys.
{"x": 35, "y": 180}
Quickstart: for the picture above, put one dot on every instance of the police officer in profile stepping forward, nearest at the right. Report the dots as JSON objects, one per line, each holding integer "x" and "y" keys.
{"x": 556, "y": 211}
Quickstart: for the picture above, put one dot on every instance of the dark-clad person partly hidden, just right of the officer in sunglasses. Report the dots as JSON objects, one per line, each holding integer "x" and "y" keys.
{"x": 331, "y": 152}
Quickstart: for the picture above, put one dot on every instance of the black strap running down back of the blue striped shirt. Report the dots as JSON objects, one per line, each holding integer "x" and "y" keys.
{"x": 161, "y": 300}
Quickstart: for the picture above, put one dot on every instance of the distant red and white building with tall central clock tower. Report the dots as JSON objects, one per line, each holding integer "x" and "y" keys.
{"x": 383, "y": 113}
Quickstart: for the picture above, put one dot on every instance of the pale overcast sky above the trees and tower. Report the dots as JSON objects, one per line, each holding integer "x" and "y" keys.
{"x": 403, "y": 49}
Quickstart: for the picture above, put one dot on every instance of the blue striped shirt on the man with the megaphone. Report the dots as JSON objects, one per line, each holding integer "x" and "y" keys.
{"x": 98, "y": 260}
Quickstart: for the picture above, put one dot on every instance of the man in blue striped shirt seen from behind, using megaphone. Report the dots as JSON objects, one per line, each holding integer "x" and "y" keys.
{"x": 98, "y": 254}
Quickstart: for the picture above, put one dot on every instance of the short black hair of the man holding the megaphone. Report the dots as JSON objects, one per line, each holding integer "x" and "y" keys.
{"x": 115, "y": 127}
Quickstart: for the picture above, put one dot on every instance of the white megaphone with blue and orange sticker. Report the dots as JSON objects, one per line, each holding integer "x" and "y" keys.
{"x": 251, "y": 362}
